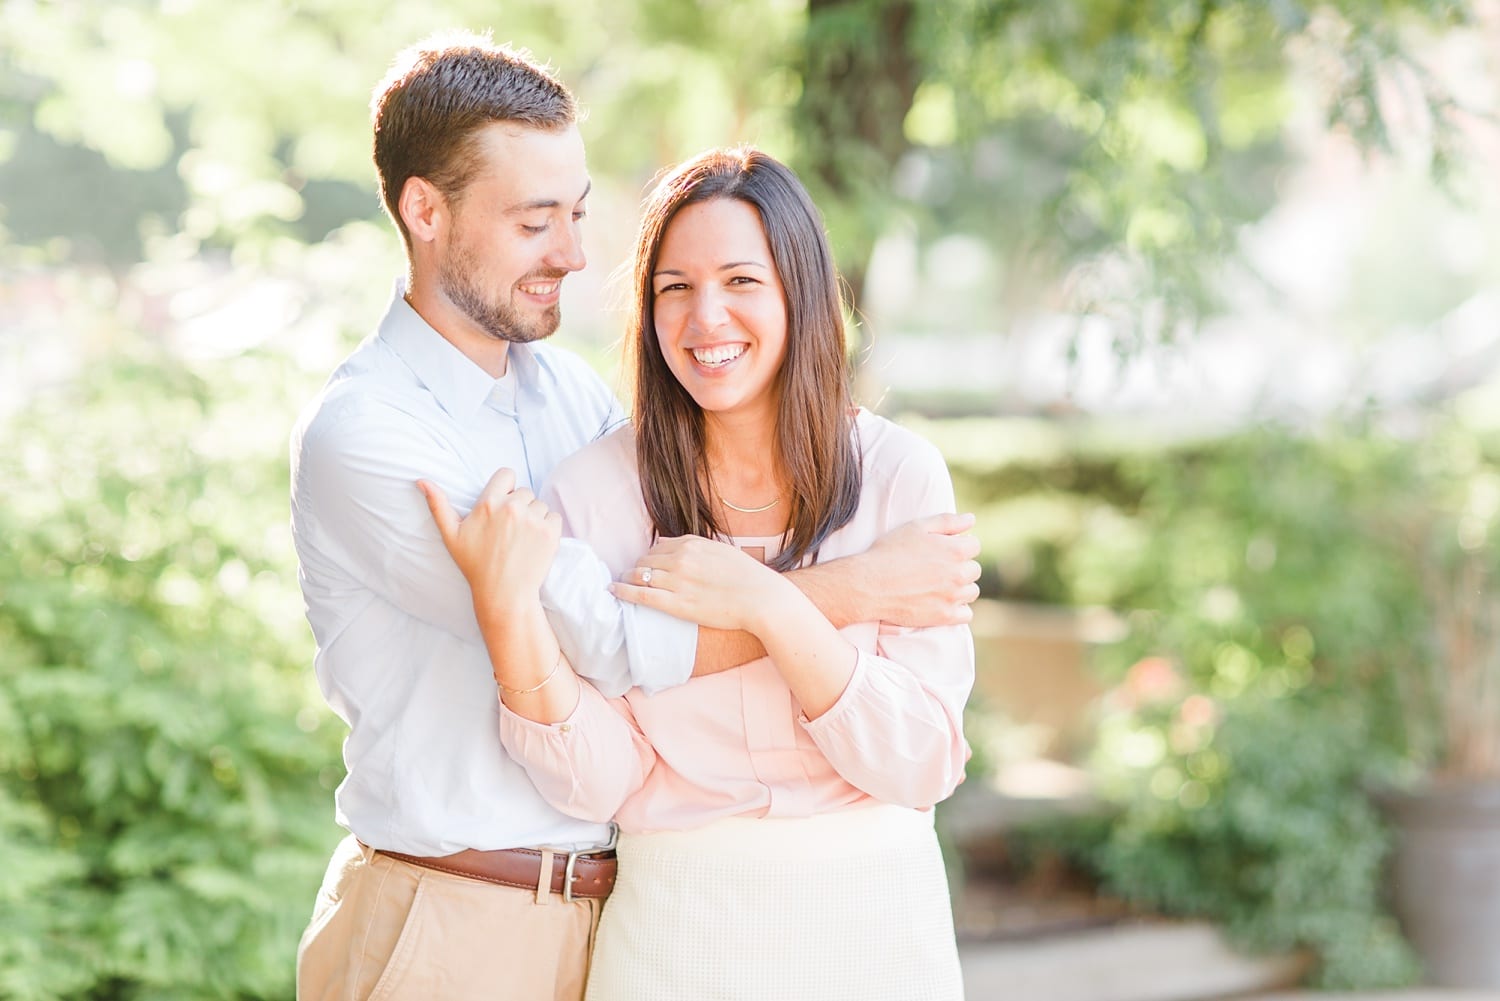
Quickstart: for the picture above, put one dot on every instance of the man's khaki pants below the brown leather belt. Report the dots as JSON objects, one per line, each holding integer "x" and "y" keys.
{"x": 389, "y": 931}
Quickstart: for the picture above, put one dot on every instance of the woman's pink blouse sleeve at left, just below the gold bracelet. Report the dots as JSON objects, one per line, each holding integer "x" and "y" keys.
{"x": 587, "y": 765}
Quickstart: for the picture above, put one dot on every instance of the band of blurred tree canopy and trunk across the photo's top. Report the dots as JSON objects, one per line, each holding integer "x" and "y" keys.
{"x": 1127, "y": 137}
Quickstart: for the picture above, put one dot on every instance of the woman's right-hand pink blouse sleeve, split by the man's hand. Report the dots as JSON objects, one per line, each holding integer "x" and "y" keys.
{"x": 898, "y": 730}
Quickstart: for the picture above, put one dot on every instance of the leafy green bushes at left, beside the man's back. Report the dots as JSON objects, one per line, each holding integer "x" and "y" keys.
{"x": 164, "y": 772}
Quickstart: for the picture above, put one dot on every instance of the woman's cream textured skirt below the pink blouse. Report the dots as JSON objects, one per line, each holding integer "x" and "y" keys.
{"x": 850, "y": 906}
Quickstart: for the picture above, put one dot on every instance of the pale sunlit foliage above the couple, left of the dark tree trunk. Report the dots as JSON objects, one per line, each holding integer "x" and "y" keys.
{"x": 175, "y": 128}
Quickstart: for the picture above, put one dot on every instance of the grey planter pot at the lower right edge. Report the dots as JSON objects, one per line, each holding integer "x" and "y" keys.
{"x": 1447, "y": 879}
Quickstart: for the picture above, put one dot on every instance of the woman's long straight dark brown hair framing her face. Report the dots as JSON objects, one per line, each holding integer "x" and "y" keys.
{"x": 817, "y": 452}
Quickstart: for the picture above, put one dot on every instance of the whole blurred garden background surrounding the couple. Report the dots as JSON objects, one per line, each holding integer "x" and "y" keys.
{"x": 1199, "y": 298}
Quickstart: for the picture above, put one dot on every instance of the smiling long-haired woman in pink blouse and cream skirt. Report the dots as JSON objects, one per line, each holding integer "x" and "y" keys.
{"x": 776, "y": 819}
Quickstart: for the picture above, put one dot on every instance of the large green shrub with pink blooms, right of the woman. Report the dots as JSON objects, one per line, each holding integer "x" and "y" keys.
{"x": 1288, "y": 649}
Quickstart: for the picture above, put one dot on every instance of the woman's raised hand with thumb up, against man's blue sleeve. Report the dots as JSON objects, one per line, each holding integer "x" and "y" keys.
{"x": 506, "y": 544}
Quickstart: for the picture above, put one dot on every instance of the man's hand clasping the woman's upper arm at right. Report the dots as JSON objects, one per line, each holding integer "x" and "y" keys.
{"x": 923, "y": 574}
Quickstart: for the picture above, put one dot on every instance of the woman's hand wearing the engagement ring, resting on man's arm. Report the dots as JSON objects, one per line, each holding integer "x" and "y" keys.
{"x": 709, "y": 583}
